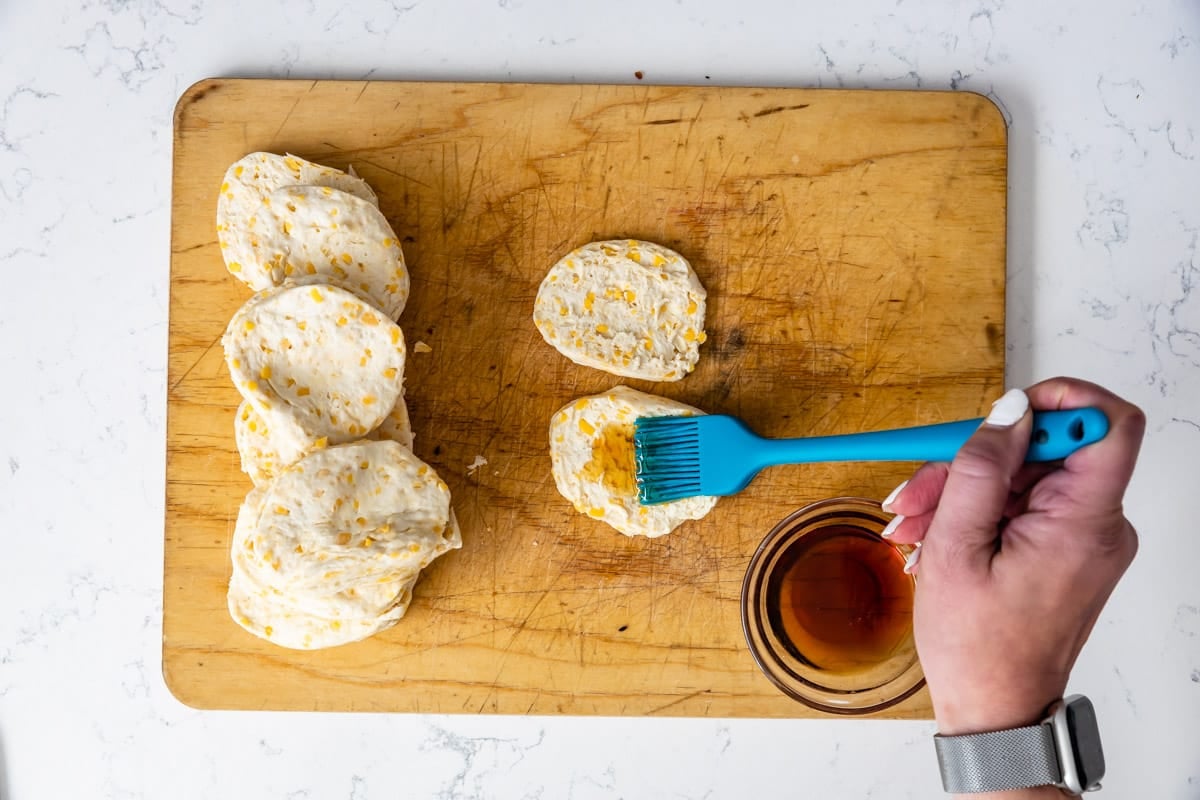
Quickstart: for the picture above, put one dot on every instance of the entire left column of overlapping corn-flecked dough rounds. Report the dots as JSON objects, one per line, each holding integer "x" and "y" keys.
{"x": 344, "y": 518}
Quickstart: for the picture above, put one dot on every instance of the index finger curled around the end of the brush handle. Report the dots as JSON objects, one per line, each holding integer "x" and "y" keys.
{"x": 1103, "y": 470}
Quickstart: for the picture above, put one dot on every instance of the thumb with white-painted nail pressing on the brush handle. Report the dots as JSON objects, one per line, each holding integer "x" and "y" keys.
{"x": 963, "y": 536}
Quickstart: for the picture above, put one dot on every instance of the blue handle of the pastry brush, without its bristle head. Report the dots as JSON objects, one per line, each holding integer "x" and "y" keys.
{"x": 1057, "y": 435}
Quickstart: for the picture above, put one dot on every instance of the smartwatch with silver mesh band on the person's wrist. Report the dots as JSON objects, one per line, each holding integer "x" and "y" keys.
{"x": 1065, "y": 751}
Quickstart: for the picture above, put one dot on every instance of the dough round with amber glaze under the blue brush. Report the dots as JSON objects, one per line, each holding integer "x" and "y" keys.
{"x": 592, "y": 461}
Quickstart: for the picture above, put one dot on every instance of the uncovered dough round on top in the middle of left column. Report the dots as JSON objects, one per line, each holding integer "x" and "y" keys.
{"x": 319, "y": 365}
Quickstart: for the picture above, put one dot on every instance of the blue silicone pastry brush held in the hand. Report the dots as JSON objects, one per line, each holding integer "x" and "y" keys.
{"x": 688, "y": 456}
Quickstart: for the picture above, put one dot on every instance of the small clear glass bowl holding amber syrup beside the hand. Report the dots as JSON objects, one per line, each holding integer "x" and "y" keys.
{"x": 827, "y": 610}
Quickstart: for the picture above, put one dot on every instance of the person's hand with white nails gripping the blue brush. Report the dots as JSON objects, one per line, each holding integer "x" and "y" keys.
{"x": 1016, "y": 561}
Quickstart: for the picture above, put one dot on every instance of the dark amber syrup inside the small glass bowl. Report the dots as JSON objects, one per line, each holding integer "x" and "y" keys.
{"x": 842, "y": 600}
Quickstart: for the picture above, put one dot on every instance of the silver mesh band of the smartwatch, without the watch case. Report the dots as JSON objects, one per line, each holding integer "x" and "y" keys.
{"x": 994, "y": 762}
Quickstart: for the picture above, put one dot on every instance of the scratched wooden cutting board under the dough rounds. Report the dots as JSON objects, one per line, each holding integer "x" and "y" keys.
{"x": 853, "y": 244}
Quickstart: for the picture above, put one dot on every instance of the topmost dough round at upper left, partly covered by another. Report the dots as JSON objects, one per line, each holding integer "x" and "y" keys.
{"x": 245, "y": 193}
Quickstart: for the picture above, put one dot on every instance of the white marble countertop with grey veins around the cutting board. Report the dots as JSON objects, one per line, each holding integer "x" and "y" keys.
{"x": 1103, "y": 258}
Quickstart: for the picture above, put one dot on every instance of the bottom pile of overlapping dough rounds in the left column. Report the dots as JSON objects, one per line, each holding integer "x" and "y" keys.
{"x": 328, "y": 554}
